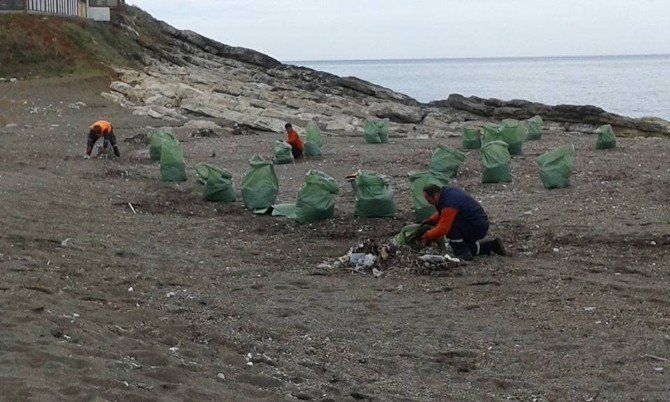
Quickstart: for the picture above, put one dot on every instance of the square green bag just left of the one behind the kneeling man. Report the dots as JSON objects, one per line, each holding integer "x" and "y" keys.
{"x": 374, "y": 195}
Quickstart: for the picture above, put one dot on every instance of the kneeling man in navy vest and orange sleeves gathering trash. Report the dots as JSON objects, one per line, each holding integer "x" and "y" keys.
{"x": 462, "y": 220}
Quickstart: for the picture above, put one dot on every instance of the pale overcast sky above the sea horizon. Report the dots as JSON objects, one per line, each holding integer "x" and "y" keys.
{"x": 292, "y": 30}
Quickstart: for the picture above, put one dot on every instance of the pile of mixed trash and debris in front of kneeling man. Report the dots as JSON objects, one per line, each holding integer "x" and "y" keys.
{"x": 375, "y": 258}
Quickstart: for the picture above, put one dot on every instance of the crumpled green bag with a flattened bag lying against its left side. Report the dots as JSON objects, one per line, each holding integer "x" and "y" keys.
{"x": 316, "y": 198}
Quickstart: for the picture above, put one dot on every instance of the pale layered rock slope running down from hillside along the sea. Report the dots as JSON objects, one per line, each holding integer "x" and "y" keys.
{"x": 185, "y": 76}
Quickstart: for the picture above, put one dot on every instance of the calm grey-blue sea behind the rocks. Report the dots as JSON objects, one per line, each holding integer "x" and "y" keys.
{"x": 629, "y": 85}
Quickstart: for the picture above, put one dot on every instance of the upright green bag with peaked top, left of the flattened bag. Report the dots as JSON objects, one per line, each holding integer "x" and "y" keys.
{"x": 260, "y": 185}
